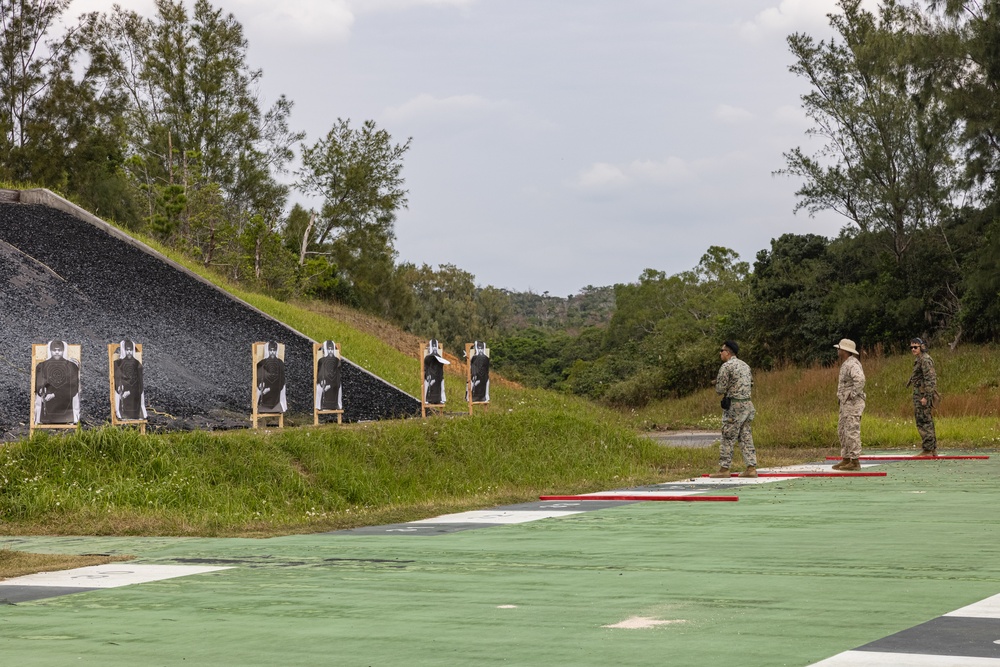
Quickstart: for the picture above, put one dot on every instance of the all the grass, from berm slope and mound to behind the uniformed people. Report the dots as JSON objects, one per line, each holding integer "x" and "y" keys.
{"x": 527, "y": 443}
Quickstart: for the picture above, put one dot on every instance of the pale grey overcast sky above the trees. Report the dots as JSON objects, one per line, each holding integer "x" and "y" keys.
{"x": 556, "y": 144}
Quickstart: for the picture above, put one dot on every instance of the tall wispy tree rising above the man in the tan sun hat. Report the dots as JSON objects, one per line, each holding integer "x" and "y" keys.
{"x": 889, "y": 162}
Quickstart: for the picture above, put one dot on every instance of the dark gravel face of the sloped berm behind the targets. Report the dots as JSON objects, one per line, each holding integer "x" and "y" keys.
{"x": 65, "y": 279}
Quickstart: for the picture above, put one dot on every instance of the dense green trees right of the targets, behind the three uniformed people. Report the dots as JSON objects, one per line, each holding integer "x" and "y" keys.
{"x": 906, "y": 102}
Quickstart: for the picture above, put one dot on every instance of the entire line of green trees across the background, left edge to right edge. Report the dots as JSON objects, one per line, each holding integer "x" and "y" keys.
{"x": 156, "y": 123}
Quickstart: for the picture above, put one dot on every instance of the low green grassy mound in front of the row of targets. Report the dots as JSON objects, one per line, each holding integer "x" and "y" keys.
{"x": 529, "y": 442}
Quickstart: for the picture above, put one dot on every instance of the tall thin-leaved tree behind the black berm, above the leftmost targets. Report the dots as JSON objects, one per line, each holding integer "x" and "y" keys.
{"x": 188, "y": 90}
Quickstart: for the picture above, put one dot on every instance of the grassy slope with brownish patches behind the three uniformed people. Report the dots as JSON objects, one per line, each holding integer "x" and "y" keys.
{"x": 797, "y": 407}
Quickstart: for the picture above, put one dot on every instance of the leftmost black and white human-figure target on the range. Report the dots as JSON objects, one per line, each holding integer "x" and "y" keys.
{"x": 56, "y": 376}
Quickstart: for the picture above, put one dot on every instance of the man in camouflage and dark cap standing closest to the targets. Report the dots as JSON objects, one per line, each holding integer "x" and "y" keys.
{"x": 734, "y": 383}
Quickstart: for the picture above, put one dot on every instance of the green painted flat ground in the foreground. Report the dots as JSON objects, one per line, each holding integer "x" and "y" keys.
{"x": 793, "y": 573}
